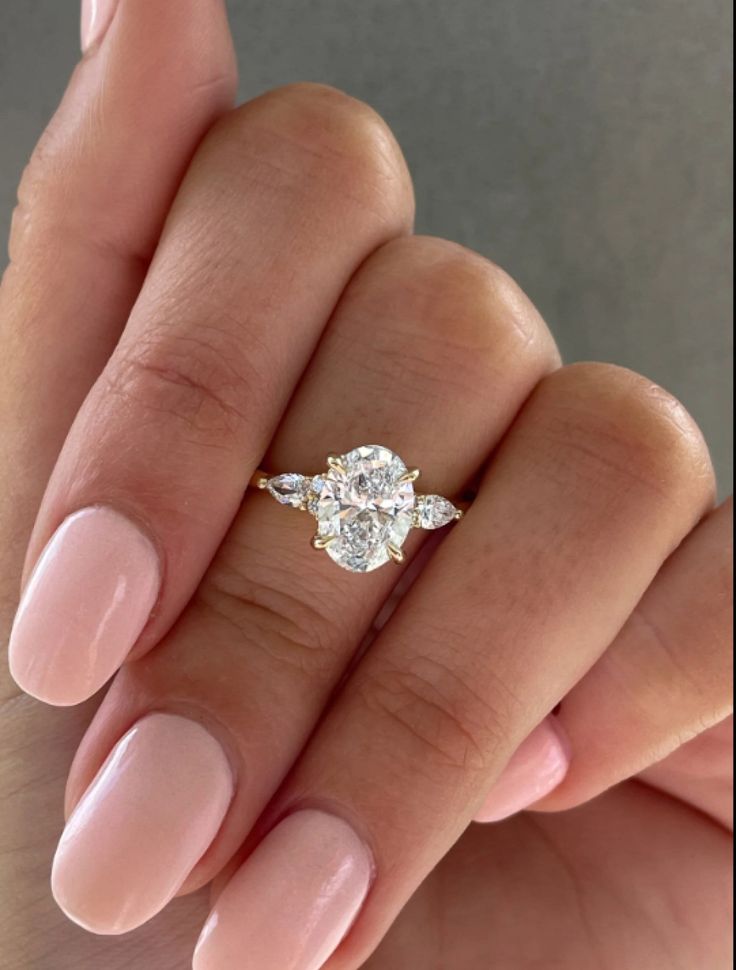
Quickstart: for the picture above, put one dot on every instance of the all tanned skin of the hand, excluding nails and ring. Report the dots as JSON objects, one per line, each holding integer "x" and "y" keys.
{"x": 592, "y": 567}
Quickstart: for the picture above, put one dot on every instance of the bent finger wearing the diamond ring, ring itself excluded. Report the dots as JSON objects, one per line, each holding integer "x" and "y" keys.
{"x": 274, "y": 624}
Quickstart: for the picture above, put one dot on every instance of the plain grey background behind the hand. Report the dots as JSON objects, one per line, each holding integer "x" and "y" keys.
{"x": 585, "y": 145}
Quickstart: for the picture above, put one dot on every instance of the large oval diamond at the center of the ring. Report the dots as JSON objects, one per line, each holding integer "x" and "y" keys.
{"x": 366, "y": 507}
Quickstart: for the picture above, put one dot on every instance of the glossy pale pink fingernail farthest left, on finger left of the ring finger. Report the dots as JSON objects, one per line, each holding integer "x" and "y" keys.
{"x": 84, "y": 607}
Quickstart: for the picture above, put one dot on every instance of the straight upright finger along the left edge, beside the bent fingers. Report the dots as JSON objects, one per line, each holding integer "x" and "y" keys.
{"x": 91, "y": 206}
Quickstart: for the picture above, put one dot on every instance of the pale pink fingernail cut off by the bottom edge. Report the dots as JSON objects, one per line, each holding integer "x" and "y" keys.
{"x": 292, "y": 901}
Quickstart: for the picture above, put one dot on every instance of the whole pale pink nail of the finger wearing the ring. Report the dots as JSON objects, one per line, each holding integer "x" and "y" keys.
{"x": 142, "y": 825}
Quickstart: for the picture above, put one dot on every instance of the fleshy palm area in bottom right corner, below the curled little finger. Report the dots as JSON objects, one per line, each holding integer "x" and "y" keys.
{"x": 624, "y": 854}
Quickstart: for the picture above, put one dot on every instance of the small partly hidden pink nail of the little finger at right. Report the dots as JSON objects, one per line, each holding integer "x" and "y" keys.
{"x": 536, "y": 769}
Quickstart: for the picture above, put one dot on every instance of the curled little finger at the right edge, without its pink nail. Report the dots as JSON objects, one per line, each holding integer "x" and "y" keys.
{"x": 666, "y": 677}
